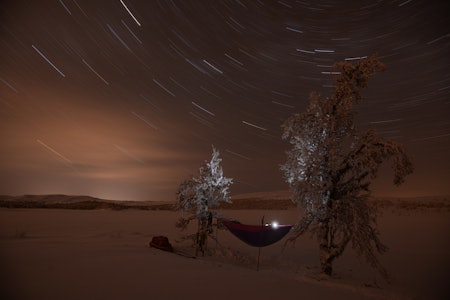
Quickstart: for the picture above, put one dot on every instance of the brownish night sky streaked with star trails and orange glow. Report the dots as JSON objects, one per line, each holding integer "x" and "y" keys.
{"x": 123, "y": 99}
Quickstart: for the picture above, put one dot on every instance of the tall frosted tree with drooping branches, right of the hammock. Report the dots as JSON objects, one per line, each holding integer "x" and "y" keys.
{"x": 330, "y": 167}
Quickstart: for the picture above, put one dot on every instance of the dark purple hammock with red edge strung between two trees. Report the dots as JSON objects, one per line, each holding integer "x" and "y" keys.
{"x": 258, "y": 235}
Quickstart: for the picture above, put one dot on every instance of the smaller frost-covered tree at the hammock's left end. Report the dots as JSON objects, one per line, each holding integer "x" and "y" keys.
{"x": 196, "y": 197}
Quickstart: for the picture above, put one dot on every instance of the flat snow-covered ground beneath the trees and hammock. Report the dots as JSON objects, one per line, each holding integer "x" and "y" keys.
{"x": 104, "y": 254}
